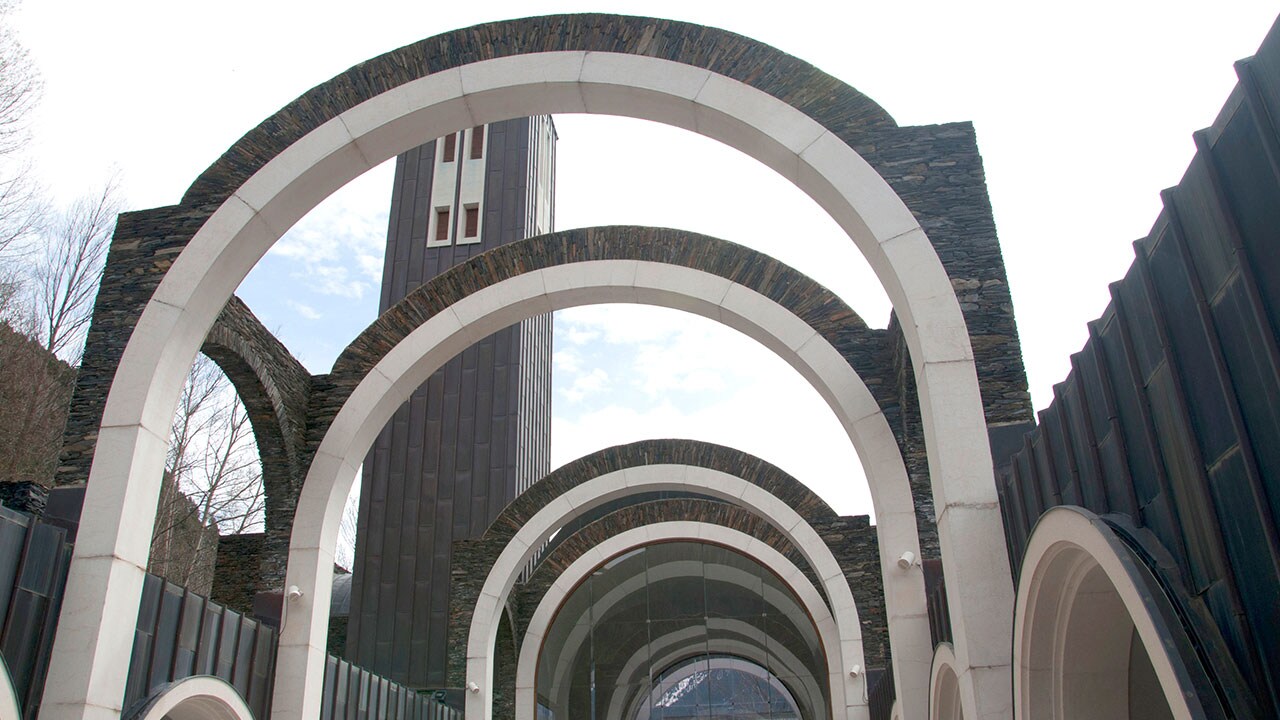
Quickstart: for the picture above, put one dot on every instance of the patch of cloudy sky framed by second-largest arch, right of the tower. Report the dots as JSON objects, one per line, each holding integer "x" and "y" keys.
{"x": 700, "y": 380}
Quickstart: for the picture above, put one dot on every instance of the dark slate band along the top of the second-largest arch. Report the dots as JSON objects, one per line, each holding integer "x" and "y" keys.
{"x": 729, "y": 268}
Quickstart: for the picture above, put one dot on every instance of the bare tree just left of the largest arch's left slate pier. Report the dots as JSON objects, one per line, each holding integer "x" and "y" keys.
{"x": 67, "y": 274}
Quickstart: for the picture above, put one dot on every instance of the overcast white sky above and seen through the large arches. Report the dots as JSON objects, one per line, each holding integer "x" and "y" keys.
{"x": 1084, "y": 112}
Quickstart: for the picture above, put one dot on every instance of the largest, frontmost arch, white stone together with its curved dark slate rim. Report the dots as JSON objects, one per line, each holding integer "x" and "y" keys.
{"x": 804, "y": 125}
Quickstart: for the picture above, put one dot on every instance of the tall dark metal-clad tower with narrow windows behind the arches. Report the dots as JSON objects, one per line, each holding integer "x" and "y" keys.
{"x": 478, "y": 432}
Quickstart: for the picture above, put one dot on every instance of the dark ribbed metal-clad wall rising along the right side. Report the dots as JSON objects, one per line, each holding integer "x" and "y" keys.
{"x": 1171, "y": 418}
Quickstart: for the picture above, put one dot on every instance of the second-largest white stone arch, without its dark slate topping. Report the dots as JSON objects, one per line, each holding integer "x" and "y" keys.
{"x": 490, "y": 309}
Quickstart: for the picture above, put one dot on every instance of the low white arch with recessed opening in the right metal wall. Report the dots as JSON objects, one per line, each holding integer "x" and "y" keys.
{"x": 1082, "y": 619}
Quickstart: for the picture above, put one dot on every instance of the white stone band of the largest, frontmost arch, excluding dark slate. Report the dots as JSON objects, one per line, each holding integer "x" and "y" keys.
{"x": 112, "y": 550}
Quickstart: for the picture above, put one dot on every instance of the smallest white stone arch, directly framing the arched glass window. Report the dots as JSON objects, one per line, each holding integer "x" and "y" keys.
{"x": 847, "y": 698}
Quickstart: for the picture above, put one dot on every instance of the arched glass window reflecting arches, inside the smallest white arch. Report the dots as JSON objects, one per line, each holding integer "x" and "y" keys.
{"x": 683, "y": 631}
